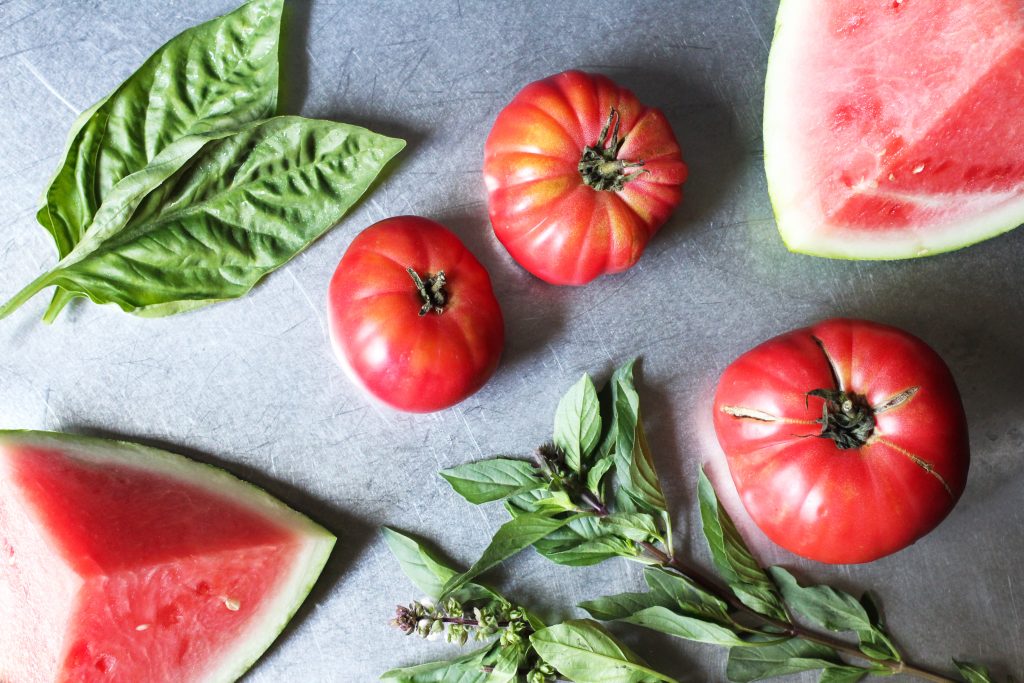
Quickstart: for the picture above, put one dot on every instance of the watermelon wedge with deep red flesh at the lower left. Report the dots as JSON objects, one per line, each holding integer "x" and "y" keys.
{"x": 120, "y": 563}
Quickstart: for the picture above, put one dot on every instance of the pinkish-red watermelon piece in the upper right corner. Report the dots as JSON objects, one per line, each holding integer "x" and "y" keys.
{"x": 893, "y": 129}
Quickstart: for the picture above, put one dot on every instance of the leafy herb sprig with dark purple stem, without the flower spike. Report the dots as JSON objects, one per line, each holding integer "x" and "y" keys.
{"x": 594, "y": 495}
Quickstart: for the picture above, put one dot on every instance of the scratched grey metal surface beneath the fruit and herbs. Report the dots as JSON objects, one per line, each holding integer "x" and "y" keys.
{"x": 252, "y": 385}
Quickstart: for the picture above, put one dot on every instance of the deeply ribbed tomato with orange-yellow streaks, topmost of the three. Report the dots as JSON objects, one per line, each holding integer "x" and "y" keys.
{"x": 580, "y": 176}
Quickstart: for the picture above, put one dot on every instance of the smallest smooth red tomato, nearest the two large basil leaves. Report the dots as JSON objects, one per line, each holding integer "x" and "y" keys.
{"x": 413, "y": 317}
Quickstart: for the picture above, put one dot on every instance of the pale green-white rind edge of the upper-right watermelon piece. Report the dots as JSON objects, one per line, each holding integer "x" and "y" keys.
{"x": 845, "y": 245}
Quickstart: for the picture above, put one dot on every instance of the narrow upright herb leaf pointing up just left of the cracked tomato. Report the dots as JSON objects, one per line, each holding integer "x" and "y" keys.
{"x": 733, "y": 560}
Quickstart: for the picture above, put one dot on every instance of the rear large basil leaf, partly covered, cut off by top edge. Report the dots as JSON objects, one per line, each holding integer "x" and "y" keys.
{"x": 220, "y": 75}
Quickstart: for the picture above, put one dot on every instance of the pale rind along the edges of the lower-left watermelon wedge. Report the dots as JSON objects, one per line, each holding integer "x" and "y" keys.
{"x": 278, "y": 613}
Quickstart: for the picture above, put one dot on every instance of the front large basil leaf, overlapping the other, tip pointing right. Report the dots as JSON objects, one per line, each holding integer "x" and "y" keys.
{"x": 242, "y": 207}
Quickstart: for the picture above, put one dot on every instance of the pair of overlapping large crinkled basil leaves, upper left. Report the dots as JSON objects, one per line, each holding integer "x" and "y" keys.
{"x": 181, "y": 189}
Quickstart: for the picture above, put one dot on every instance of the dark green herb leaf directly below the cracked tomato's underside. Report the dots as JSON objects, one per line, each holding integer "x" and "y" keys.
{"x": 835, "y": 611}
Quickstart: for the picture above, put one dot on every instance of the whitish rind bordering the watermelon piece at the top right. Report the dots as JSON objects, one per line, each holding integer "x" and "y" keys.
{"x": 805, "y": 235}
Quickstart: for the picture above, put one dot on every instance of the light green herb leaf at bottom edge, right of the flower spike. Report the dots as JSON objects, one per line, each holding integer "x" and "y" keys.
{"x": 583, "y": 652}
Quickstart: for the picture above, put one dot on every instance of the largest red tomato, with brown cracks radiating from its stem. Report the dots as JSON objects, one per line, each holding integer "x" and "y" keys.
{"x": 846, "y": 441}
